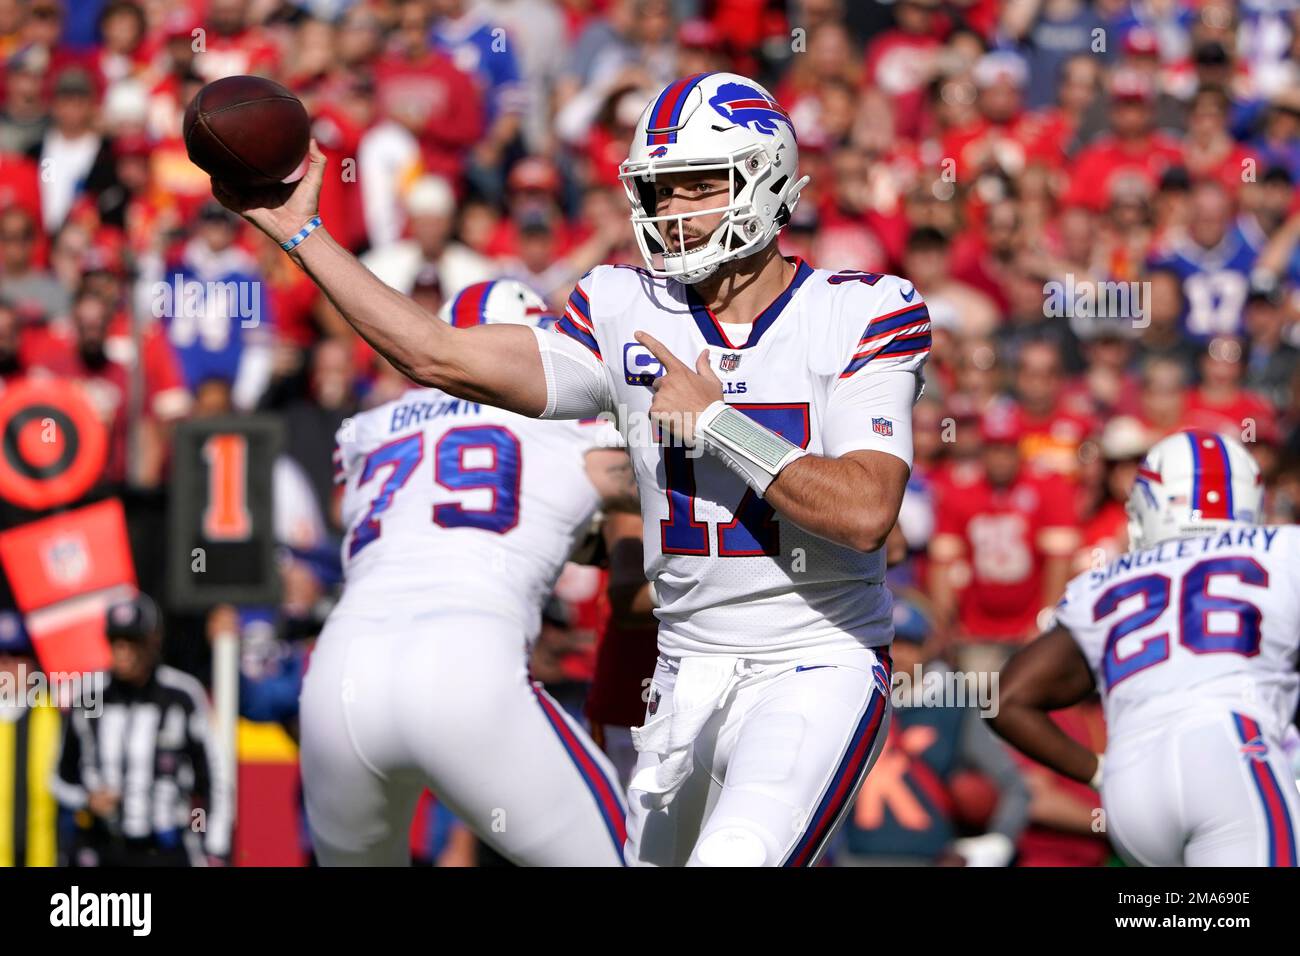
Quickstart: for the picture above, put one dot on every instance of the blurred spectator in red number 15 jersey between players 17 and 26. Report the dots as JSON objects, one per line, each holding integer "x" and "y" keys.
{"x": 1003, "y": 546}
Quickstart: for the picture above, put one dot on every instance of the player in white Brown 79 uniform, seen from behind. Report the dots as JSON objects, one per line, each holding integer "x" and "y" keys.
{"x": 460, "y": 518}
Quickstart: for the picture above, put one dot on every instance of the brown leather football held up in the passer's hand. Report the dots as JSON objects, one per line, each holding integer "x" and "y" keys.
{"x": 246, "y": 129}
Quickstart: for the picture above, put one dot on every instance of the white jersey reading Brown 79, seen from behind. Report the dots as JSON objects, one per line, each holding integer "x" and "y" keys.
{"x": 452, "y": 504}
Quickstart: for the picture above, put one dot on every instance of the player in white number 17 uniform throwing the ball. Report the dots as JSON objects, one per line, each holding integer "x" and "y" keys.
{"x": 768, "y": 406}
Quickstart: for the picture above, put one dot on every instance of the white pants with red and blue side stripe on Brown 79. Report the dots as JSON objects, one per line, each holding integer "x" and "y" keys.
{"x": 444, "y": 702}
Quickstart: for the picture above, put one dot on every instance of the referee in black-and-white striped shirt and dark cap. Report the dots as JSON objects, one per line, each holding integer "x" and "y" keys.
{"x": 145, "y": 778}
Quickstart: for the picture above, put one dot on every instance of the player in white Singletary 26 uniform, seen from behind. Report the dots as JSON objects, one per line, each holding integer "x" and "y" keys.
{"x": 1193, "y": 639}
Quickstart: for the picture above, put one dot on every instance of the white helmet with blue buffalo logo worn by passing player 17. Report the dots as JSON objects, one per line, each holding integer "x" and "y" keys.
{"x": 713, "y": 122}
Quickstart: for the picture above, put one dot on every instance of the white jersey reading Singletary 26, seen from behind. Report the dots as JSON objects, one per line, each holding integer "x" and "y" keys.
{"x": 1193, "y": 622}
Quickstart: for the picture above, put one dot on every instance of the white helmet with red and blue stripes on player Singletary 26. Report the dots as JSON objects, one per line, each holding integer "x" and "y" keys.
{"x": 1193, "y": 483}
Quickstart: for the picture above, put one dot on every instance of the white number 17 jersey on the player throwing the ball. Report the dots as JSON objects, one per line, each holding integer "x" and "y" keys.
{"x": 730, "y": 574}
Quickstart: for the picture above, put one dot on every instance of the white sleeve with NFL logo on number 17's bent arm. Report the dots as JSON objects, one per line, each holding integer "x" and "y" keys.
{"x": 872, "y": 412}
